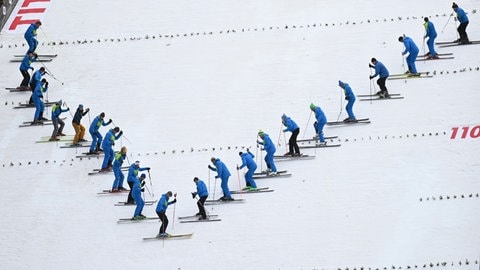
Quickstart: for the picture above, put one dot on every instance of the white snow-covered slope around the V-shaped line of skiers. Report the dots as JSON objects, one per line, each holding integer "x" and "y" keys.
{"x": 187, "y": 81}
